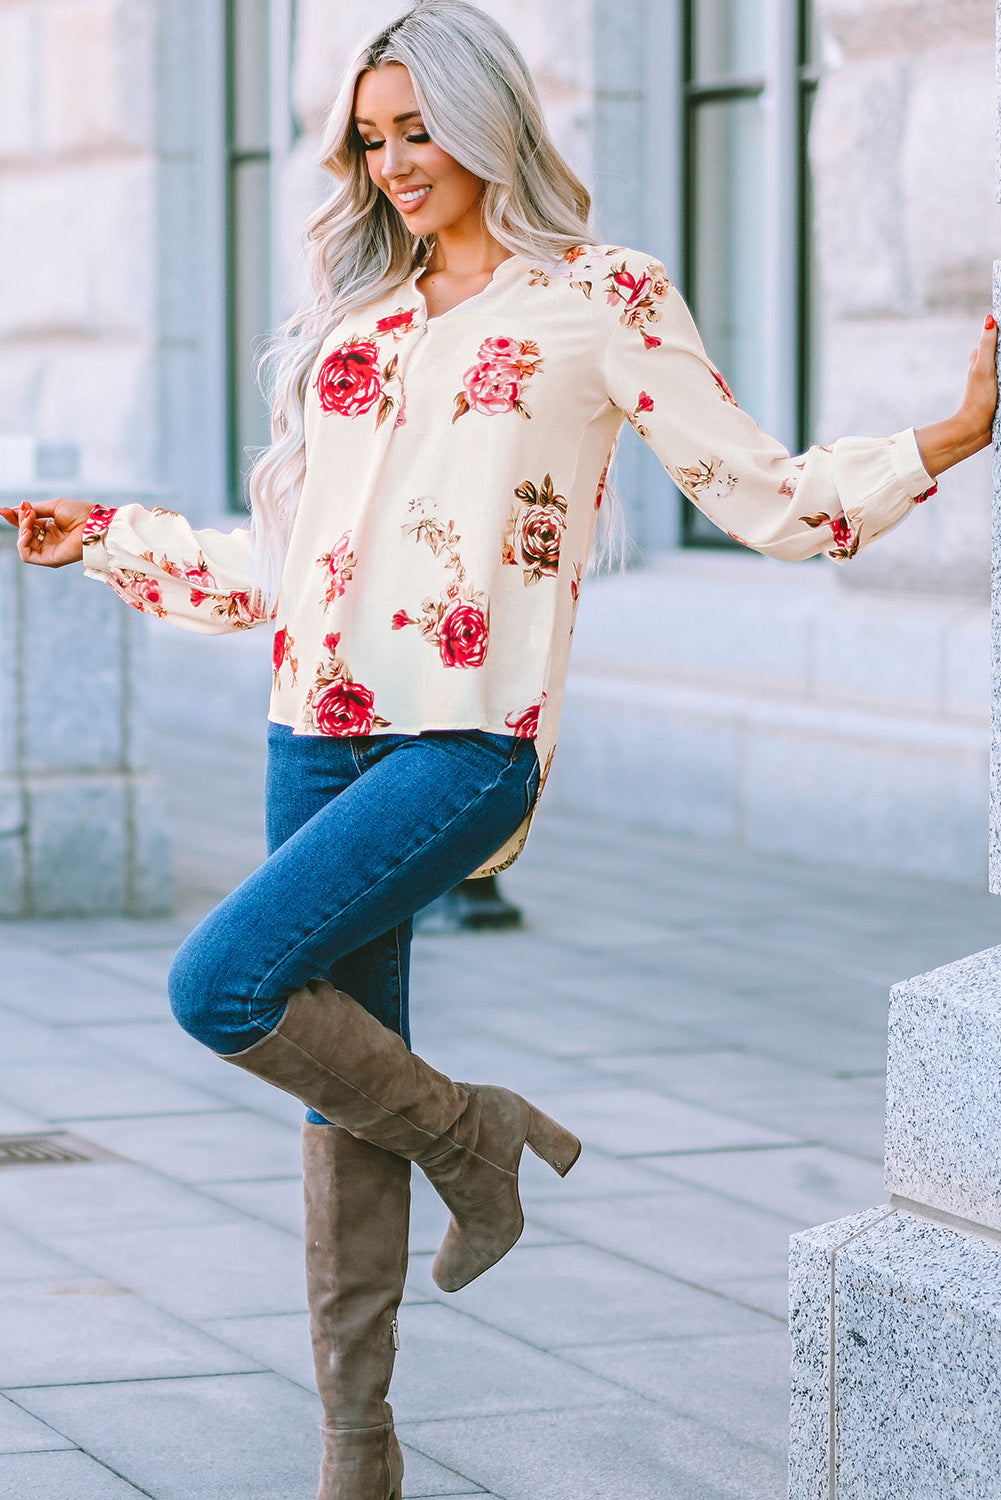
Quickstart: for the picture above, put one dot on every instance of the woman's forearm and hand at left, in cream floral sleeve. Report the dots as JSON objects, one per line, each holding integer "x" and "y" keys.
{"x": 154, "y": 559}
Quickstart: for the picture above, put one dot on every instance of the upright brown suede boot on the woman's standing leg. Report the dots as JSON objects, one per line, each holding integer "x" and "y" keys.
{"x": 358, "y": 1223}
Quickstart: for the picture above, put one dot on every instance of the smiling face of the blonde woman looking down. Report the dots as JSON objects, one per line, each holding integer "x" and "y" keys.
{"x": 422, "y": 182}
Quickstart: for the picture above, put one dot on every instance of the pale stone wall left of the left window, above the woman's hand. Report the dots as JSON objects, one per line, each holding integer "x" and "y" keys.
{"x": 106, "y": 304}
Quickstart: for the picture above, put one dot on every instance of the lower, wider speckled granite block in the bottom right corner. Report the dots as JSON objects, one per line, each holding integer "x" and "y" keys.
{"x": 918, "y": 1361}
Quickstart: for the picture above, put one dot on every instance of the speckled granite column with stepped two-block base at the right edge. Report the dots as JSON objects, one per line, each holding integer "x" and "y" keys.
{"x": 897, "y": 1313}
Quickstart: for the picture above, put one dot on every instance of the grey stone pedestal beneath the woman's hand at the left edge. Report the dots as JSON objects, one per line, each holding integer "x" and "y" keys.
{"x": 83, "y": 830}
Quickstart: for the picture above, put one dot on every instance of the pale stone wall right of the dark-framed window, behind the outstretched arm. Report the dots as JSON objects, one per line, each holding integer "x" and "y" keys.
{"x": 903, "y": 151}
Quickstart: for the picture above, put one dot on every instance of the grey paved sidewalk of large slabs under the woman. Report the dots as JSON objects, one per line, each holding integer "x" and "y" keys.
{"x": 714, "y": 1027}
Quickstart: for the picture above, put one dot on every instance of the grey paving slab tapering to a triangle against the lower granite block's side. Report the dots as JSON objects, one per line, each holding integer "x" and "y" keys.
{"x": 736, "y": 1384}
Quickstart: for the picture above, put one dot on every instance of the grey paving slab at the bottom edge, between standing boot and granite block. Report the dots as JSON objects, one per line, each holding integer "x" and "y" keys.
{"x": 634, "y": 1450}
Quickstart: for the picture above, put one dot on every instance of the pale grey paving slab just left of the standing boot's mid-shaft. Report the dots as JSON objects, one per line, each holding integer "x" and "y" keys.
{"x": 229, "y": 1270}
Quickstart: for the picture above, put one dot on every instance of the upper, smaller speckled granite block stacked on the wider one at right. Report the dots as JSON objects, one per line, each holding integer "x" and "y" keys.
{"x": 945, "y": 1090}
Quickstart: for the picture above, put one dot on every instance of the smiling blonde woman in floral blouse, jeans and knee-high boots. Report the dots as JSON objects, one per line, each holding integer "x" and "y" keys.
{"x": 445, "y": 415}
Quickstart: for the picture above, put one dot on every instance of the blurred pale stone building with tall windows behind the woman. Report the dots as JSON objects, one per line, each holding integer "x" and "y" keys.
{"x": 816, "y": 176}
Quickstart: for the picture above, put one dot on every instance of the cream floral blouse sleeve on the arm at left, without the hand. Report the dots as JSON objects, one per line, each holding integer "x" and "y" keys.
{"x": 158, "y": 563}
